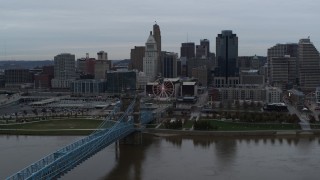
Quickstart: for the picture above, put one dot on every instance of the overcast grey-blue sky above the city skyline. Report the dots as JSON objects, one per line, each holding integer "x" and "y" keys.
{"x": 39, "y": 30}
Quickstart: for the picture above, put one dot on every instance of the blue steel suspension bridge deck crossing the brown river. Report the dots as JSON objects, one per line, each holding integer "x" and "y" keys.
{"x": 116, "y": 126}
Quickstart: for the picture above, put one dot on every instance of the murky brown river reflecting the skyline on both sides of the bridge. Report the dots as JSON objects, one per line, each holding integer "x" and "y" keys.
{"x": 177, "y": 158}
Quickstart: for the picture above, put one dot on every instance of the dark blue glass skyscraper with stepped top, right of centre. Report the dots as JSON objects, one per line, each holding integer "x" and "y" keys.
{"x": 226, "y": 55}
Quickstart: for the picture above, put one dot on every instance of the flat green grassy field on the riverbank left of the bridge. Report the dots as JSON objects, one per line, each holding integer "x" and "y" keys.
{"x": 53, "y": 127}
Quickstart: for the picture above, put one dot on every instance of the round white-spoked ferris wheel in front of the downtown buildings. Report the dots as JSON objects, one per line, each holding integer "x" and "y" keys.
{"x": 163, "y": 89}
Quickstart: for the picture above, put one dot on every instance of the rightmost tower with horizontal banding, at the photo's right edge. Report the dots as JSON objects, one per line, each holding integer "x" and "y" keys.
{"x": 309, "y": 66}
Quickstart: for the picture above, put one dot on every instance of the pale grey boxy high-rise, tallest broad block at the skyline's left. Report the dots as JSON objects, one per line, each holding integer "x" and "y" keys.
{"x": 64, "y": 70}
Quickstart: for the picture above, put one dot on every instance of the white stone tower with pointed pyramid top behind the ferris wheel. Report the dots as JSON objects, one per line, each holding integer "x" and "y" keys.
{"x": 151, "y": 59}
